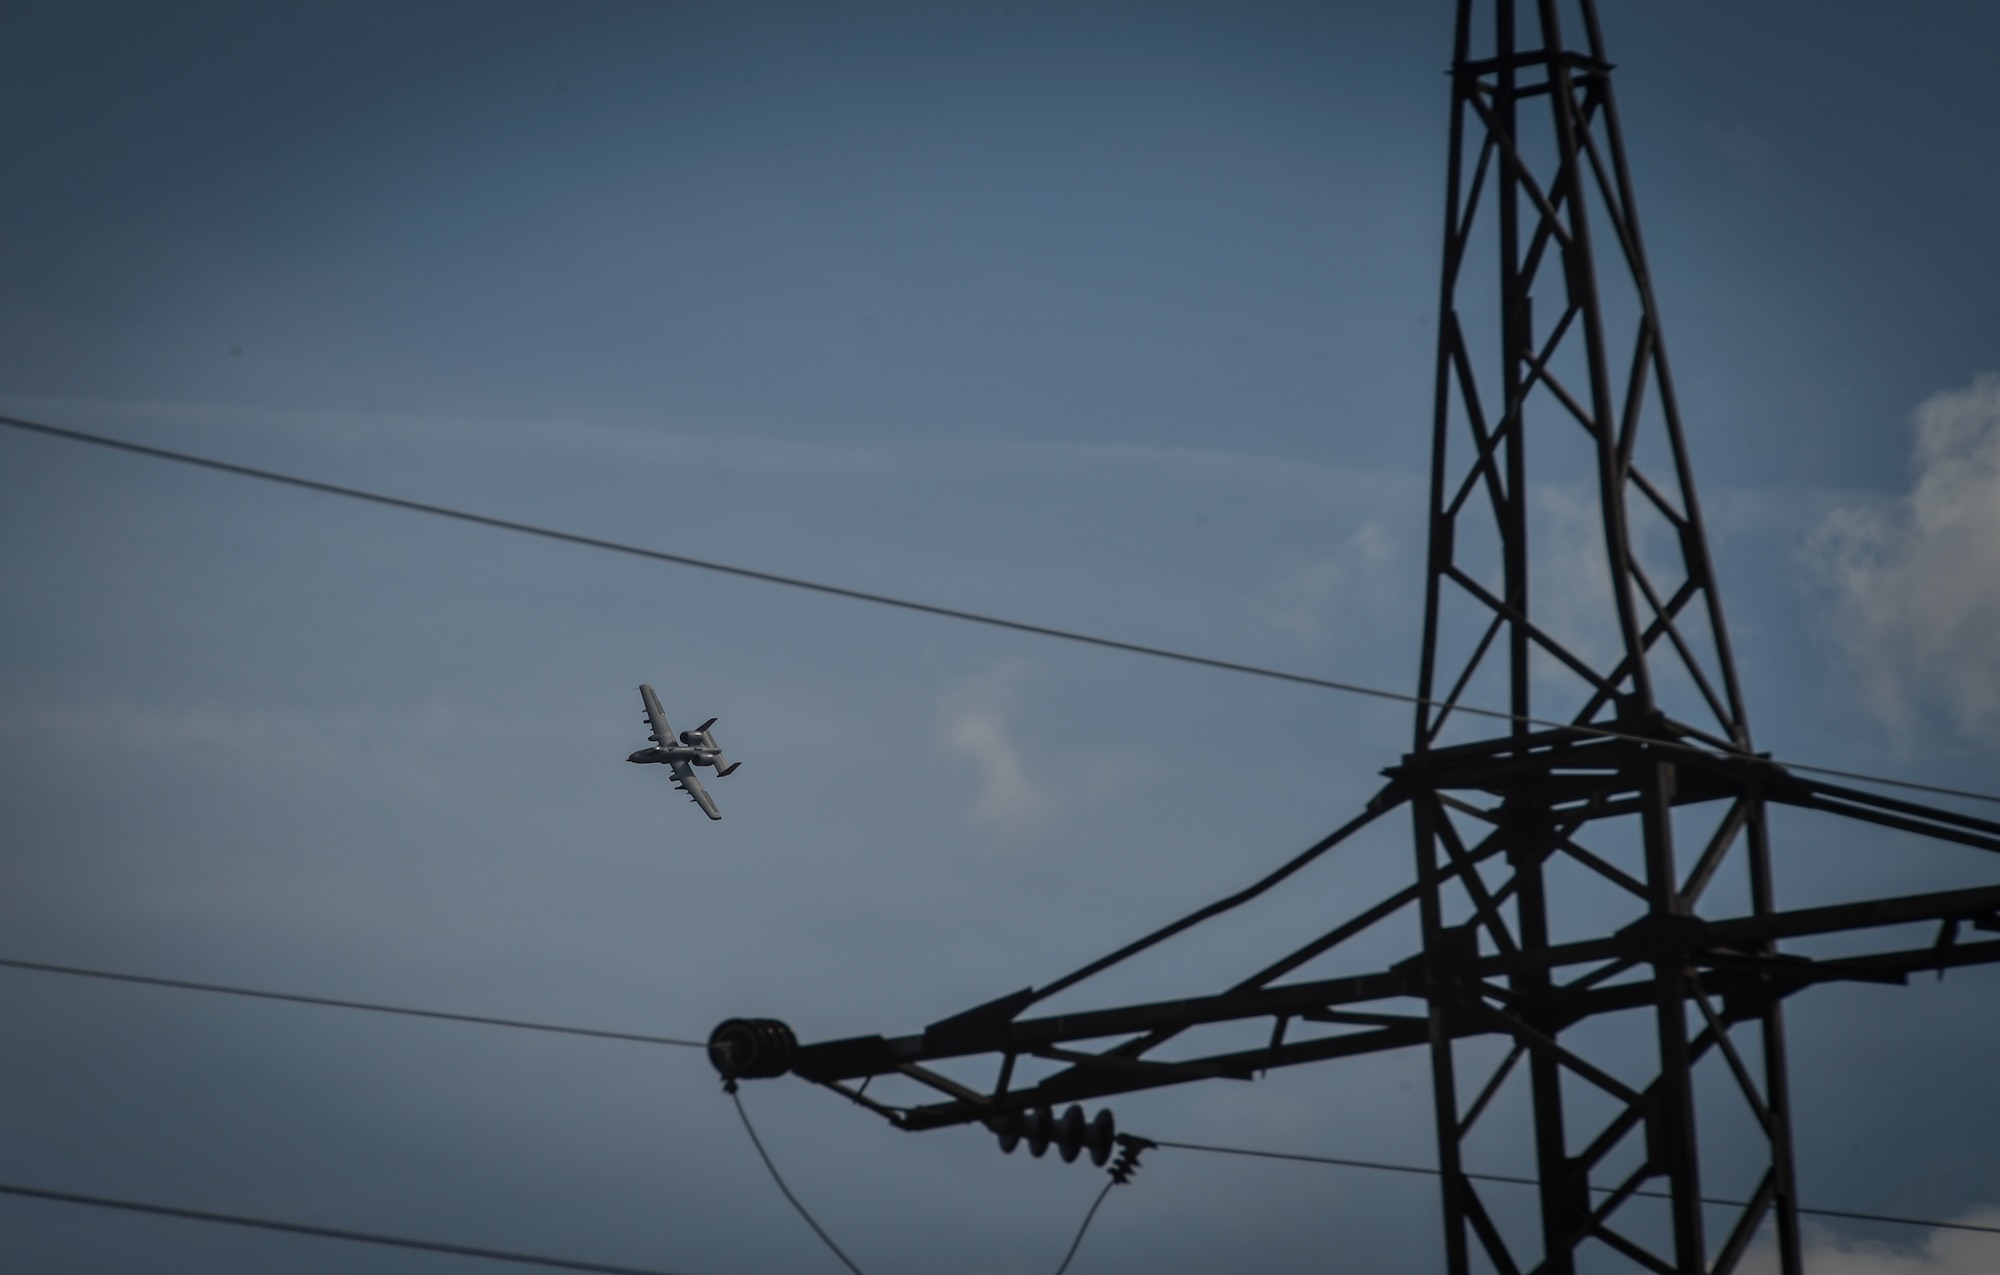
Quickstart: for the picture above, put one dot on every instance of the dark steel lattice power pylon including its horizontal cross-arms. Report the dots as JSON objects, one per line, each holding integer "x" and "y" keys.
{"x": 1655, "y": 810}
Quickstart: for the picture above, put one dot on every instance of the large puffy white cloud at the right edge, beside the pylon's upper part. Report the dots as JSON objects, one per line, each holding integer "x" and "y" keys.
{"x": 1919, "y": 585}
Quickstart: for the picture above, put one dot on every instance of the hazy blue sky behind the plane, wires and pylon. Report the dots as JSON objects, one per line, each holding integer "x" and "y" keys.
{"x": 1103, "y": 317}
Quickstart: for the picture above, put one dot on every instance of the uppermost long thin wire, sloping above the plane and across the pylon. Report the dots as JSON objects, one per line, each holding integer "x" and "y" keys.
{"x": 927, "y": 609}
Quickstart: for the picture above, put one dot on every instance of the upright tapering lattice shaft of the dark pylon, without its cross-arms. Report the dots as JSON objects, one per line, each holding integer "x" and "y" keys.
{"x": 1539, "y": 165}
